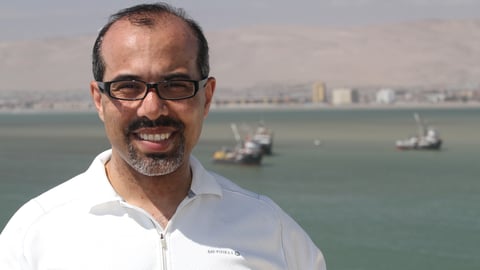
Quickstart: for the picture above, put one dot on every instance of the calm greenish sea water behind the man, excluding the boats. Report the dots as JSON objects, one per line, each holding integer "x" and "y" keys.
{"x": 366, "y": 205}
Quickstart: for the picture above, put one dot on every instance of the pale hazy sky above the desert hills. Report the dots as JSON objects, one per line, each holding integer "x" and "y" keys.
{"x": 30, "y": 19}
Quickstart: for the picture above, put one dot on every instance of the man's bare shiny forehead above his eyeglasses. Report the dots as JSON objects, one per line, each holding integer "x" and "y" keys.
{"x": 139, "y": 40}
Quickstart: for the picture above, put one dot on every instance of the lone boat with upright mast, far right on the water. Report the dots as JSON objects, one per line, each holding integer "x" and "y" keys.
{"x": 426, "y": 139}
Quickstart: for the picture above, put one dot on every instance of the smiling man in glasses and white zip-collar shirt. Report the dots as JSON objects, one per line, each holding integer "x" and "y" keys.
{"x": 147, "y": 203}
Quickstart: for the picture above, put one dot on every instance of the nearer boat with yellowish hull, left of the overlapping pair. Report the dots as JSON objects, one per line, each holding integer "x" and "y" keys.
{"x": 246, "y": 152}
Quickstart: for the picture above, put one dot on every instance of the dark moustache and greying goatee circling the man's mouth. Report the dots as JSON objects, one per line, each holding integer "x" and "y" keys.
{"x": 156, "y": 164}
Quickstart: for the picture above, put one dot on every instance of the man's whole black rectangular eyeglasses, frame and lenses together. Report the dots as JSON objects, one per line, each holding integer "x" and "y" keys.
{"x": 138, "y": 90}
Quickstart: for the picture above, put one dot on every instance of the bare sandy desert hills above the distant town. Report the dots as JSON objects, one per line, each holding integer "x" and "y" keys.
{"x": 417, "y": 54}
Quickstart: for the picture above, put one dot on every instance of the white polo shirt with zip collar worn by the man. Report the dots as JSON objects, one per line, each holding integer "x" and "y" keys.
{"x": 84, "y": 224}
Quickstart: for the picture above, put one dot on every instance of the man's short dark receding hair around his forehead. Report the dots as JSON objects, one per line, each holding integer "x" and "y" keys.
{"x": 142, "y": 15}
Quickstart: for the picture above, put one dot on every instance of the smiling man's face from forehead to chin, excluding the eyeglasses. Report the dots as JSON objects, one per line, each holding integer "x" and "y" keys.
{"x": 153, "y": 136}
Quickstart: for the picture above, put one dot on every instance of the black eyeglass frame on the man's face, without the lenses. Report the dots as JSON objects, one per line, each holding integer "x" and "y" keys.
{"x": 104, "y": 87}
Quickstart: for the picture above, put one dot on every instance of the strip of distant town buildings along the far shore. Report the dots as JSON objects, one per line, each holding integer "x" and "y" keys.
{"x": 313, "y": 95}
